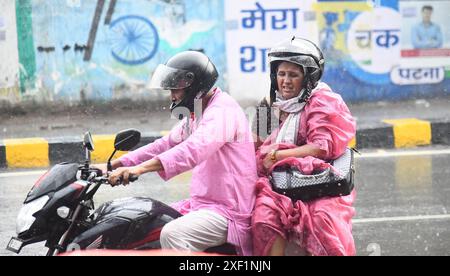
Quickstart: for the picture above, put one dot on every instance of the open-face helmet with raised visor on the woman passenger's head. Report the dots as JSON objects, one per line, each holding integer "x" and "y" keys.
{"x": 302, "y": 52}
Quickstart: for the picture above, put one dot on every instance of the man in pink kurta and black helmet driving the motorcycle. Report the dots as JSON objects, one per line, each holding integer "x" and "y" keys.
{"x": 216, "y": 143}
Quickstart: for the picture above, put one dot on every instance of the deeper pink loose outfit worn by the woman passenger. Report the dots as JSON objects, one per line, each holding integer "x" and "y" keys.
{"x": 322, "y": 226}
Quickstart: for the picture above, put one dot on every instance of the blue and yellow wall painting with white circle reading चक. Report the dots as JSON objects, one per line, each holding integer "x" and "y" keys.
{"x": 369, "y": 50}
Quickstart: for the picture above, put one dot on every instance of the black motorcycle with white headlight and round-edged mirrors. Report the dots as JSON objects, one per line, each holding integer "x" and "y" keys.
{"x": 59, "y": 209}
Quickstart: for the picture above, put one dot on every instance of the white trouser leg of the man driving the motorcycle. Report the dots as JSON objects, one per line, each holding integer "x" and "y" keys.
{"x": 196, "y": 231}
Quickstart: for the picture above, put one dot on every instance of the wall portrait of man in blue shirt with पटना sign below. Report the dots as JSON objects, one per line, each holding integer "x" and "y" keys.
{"x": 425, "y": 47}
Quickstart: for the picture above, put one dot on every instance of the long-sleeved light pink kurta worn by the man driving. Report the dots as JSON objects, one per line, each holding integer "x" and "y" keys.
{"x": 220, "y": 149}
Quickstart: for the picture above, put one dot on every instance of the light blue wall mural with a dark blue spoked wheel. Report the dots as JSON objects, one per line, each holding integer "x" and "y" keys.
{"x": 94, "y": 49}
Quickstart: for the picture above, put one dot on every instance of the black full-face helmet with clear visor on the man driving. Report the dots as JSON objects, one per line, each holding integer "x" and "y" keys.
{"x": 190, "y": 70}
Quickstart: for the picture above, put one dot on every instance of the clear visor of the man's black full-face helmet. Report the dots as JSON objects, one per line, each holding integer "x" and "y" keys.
{"x": 168, "y": 78}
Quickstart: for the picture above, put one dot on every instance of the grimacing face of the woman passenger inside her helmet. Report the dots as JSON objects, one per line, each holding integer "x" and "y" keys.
{"x": 290, "y": 79}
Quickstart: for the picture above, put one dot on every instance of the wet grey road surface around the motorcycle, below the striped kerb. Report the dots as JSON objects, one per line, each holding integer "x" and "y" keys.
{"x": 402, "y": 205}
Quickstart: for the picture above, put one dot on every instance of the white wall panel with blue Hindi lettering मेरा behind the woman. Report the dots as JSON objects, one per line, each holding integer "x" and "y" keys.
{"x": 252, "y": 28}
